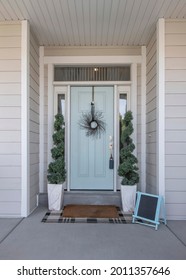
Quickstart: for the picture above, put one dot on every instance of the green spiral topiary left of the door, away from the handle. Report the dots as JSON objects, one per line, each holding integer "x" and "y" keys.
{"x": 56, "y": 169}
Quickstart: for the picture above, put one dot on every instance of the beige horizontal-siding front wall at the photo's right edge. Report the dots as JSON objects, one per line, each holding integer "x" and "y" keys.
{"x": 175, "y": 119}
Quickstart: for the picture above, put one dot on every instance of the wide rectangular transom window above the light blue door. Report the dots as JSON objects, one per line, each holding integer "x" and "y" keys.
{"x": 91, "y": 73}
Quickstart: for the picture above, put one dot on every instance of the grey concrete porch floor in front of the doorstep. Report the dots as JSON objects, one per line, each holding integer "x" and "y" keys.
{"x": 29, "y": 239}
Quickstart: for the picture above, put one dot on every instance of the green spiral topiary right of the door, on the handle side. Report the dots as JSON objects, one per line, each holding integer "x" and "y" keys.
{"x": 128, "y": 166}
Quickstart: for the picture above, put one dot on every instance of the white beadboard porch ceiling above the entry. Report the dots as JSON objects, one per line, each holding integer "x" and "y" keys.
{"x": 92, "y": 22}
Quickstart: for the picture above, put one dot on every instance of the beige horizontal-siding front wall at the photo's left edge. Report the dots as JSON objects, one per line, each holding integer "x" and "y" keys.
{"x": 10, "y": 119}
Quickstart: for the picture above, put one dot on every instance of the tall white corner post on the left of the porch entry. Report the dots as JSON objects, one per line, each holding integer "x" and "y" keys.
{"x": 25, "y": 168}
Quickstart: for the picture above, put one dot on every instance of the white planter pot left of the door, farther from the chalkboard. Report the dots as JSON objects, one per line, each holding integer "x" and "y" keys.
{"x": 55, "y": 196}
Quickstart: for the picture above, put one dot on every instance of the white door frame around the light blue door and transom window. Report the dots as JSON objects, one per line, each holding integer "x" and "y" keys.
{"x": 50, "y": 61}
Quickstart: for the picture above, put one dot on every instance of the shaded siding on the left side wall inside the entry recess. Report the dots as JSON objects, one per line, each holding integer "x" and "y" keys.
{"x": 34, "y": 122}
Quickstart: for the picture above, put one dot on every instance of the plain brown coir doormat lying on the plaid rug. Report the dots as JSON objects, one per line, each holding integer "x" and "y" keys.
{"x": 90, "y": 211}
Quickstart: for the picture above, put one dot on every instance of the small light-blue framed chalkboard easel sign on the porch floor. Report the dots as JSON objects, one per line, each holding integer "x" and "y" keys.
{"x": 147, "y": 210}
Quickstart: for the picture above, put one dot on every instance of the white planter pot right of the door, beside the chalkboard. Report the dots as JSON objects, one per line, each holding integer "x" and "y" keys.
{"x": 128, "y": 198}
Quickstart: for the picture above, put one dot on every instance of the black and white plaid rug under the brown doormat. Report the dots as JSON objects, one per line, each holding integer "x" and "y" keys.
{"x": 57, "y": 217}
